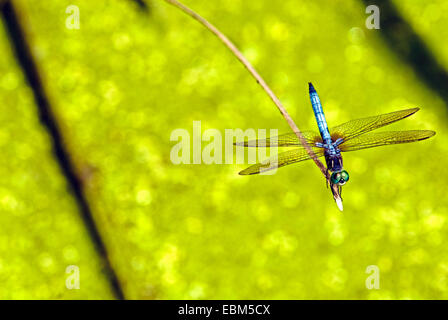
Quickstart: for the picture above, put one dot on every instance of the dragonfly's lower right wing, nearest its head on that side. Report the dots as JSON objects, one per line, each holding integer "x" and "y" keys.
{"x": 376, "y": 139}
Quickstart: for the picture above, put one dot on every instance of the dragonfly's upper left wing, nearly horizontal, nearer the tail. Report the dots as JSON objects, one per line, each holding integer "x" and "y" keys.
{"x": 283, "y": 140}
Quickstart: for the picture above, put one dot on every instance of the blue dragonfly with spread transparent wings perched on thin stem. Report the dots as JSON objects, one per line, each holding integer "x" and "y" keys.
{"x": 330, "y": 143}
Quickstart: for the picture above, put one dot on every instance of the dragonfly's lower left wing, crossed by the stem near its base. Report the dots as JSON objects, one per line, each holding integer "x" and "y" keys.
{"x": 282, "y": 159}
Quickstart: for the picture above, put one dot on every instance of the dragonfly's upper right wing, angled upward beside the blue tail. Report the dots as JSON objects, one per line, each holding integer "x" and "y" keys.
{"x": 356, "y": 127}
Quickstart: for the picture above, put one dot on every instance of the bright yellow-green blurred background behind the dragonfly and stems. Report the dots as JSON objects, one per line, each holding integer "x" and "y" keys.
{"x": 127, "y": 78}
